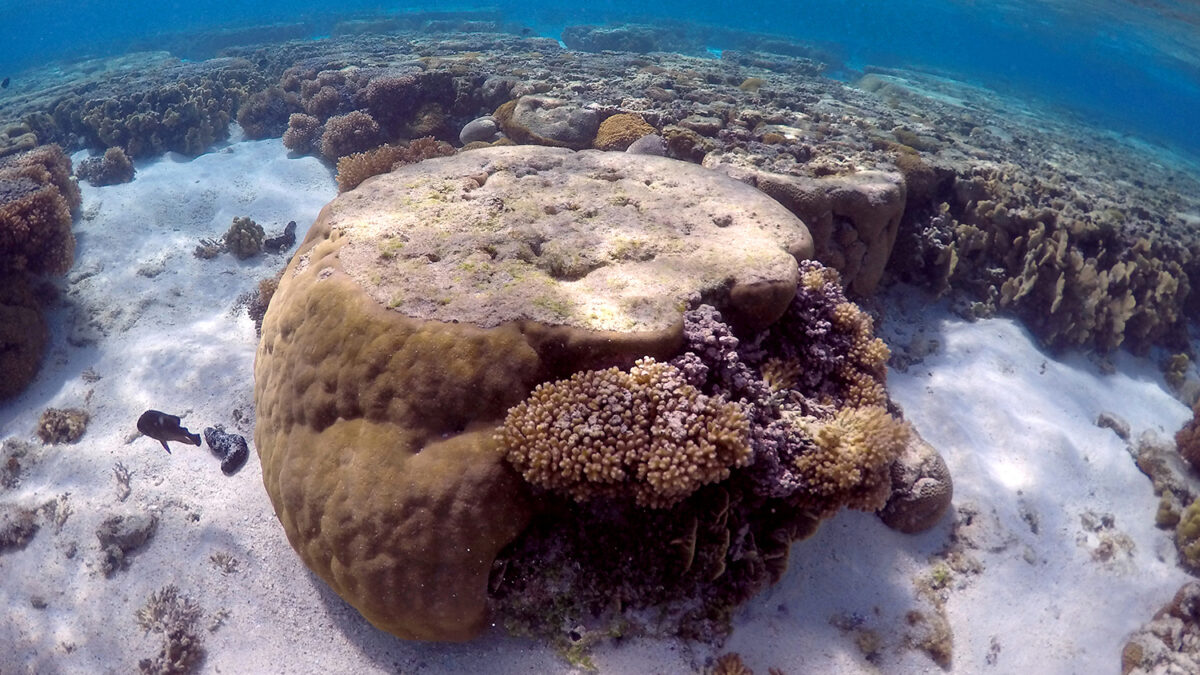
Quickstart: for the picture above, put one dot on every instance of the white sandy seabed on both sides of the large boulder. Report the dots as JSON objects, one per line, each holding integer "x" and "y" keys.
{"x": 1040, "y": 489}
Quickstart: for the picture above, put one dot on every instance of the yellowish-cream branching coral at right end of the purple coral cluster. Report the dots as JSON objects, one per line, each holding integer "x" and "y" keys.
{"x": 853, "y": 457}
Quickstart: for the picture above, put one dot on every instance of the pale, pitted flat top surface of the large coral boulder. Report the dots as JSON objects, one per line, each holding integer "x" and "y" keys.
{"x": 549, "y": 224}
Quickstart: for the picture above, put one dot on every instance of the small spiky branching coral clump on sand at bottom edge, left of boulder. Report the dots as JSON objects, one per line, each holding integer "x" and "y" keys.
{"x": 175, "y": 616}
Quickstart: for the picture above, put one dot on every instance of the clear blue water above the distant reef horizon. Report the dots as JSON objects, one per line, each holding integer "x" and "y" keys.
{"x": 1133, "y": 67}
